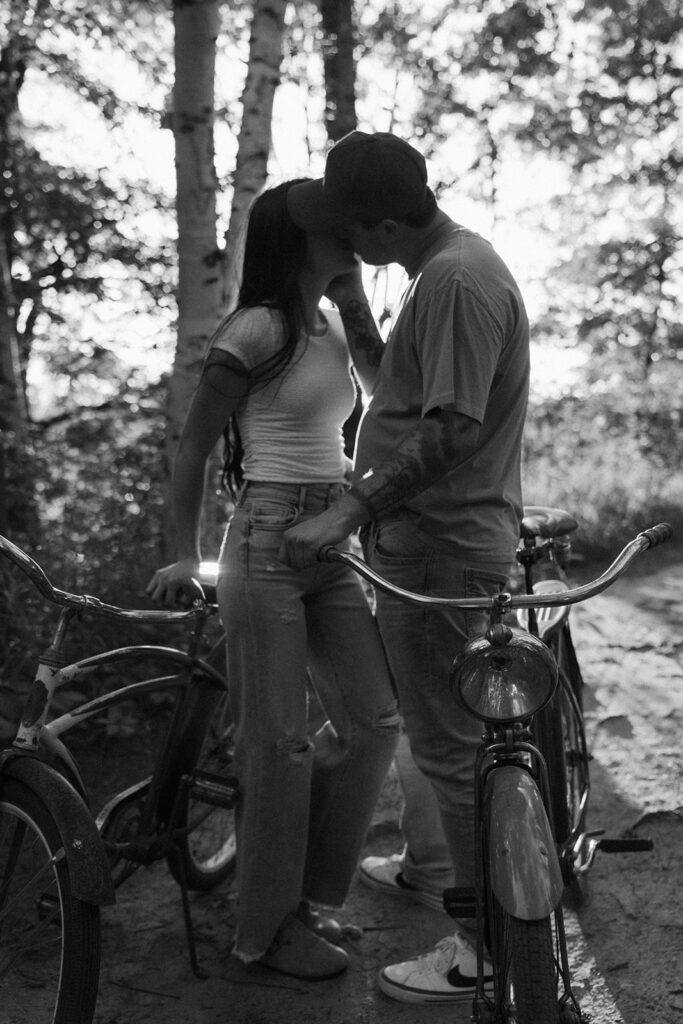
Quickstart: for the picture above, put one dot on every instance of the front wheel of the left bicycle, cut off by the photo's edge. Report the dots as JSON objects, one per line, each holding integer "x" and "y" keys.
{"x": 50, "y": 941}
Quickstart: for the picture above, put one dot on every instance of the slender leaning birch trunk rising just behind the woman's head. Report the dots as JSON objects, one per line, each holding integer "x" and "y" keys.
{"x": 266, "y": 53}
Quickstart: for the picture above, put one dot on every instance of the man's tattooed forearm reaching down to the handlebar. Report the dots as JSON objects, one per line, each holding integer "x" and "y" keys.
{"x": 442, "y": 443}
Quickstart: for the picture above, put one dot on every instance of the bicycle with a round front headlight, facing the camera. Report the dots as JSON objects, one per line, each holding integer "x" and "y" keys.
{"x": 531, "y": 795}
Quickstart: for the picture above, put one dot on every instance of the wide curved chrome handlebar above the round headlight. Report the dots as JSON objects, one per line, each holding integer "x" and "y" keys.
{"x": 648, "y": 539}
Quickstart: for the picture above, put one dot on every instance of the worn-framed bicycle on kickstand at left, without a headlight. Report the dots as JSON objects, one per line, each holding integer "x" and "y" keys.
{"x": 60, "y": 864}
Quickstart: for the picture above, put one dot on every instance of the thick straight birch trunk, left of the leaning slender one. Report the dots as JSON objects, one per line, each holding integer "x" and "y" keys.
{"x": 197, "y": 24}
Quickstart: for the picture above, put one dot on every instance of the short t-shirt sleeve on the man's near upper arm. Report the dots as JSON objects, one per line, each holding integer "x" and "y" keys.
{"x": 459, "y": 347}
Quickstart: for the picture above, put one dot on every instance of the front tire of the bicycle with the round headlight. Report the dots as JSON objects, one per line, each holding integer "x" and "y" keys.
{"x": 525, "y": 972}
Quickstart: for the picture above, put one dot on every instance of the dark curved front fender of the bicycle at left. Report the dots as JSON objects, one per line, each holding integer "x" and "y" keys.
{"x": 89, "y": 865}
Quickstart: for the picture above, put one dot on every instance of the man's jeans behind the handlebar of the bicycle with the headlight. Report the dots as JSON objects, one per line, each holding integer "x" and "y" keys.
{"x": 421, "y": 645}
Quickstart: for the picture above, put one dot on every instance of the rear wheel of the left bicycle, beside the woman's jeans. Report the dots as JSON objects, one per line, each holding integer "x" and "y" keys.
{"x": 207, "y": 845}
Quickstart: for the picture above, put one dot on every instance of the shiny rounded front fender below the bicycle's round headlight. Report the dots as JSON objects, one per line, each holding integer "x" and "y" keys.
{"x": 524, "y": 868}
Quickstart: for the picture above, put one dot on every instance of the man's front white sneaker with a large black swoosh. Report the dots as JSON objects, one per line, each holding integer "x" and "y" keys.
{"x": 446, "y": 974}
